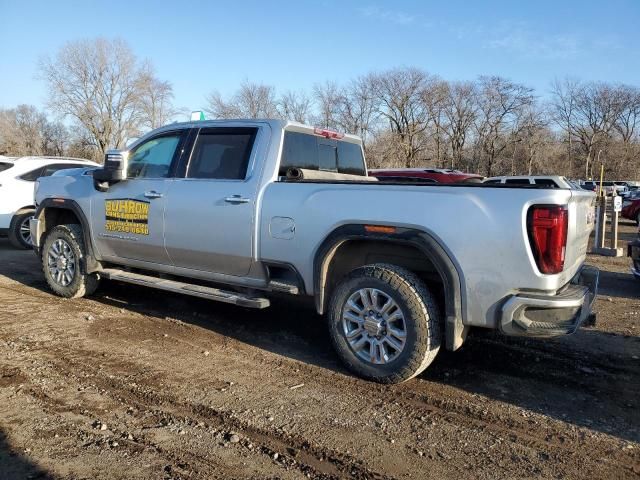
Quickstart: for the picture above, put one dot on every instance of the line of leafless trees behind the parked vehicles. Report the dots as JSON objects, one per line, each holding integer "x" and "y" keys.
{"x": 406, "y": 117}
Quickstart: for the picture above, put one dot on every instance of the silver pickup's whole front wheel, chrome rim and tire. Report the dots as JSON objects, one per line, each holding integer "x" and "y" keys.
{"x": 62, "y": 254}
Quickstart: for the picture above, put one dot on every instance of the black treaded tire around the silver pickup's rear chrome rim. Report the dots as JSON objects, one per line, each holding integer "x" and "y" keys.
{"x": 421, "y": 322}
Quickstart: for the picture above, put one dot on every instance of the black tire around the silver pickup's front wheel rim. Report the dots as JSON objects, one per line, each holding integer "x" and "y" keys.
{"x": 80, "y": 284}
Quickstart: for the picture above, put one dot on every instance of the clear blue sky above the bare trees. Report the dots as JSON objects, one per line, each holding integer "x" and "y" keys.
{"x": 204, "y": 45}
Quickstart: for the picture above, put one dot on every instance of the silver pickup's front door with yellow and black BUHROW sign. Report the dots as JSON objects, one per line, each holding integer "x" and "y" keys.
{"x": 128, "y": 219}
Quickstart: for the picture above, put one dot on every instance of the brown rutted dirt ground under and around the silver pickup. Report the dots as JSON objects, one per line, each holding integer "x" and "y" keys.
{"x": 135, "y": 383}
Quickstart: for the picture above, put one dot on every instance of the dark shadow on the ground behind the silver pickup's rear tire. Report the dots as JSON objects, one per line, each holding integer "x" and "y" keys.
{"x": 589, "y": 379}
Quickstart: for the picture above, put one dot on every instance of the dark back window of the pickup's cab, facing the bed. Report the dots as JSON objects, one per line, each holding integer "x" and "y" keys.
{"x": 302, "y": 150}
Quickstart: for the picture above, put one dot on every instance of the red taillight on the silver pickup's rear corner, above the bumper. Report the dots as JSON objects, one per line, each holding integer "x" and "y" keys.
{"x": 547, "y": 226}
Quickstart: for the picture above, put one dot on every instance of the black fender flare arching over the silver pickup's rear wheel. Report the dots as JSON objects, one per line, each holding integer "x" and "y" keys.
{"x": 455, "y": 328}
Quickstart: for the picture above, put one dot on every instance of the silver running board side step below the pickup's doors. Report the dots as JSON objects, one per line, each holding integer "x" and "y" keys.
{"x": 210, "y": 293}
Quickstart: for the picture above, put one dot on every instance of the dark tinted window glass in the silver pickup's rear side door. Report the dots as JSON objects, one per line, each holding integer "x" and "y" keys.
{"x": 222, "y": 153}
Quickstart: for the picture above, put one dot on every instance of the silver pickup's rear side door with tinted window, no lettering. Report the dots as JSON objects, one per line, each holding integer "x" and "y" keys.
{"x": 210, "y": 211}
